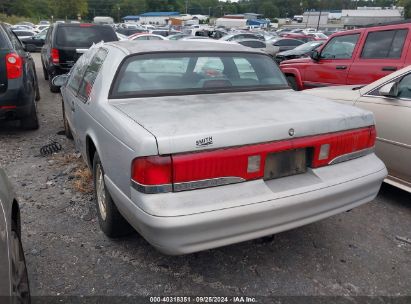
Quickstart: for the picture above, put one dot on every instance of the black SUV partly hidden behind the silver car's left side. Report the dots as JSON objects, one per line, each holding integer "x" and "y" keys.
{"x": 65, "y": 43}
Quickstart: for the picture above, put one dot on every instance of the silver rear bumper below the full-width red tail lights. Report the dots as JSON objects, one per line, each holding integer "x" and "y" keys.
{"x": 287, "y": 209}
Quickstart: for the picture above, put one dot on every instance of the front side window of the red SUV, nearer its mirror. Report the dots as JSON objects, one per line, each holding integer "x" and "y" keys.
{"x": 340, "y": 47}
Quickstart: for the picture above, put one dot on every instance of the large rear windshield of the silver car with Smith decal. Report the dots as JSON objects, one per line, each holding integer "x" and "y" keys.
{"x": 164, "y": 74}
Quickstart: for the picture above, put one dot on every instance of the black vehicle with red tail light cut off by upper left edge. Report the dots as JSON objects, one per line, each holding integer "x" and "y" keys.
{"x": 19, "y": 88}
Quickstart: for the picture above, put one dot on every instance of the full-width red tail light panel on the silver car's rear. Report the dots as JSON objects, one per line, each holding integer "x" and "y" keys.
{"x": 189, "y": 171}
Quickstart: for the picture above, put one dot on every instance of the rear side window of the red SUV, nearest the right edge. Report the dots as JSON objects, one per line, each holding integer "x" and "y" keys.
{"x": 384, "y": 44}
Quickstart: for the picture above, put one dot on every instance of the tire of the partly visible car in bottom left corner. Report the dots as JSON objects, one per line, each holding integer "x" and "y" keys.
{"x": 19, "y": 280}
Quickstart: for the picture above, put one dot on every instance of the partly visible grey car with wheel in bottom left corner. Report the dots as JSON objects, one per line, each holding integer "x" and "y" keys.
{"x": 14, "y": 284}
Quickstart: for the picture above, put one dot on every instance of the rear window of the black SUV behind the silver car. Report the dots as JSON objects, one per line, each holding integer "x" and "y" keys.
{"x": 84, "y": 36}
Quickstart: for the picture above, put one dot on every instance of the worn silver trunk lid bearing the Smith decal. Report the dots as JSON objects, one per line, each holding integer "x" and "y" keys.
{"x": 209, "y": 121}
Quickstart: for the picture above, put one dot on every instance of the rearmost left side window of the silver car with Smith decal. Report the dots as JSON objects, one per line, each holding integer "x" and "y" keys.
{"x": 91, "y": 74}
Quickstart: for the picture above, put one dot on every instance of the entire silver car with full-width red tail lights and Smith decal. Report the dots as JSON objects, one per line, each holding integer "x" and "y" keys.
{"x": 199, "y": 145}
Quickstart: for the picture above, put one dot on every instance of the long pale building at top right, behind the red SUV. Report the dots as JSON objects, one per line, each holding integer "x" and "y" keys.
{"x": 366, "y": 16}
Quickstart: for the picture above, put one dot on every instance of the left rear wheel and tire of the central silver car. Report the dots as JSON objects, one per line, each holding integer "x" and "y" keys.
{"x": 112, "y": 223}
